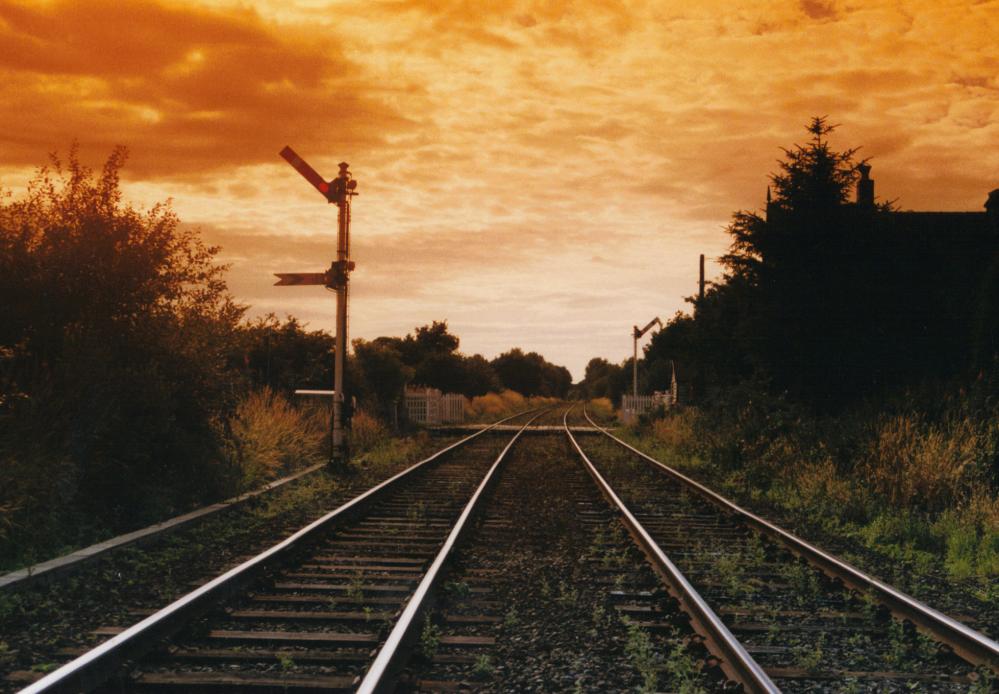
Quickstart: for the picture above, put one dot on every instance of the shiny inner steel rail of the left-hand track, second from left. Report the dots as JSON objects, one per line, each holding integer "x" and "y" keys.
{"x": 379, "y": 677}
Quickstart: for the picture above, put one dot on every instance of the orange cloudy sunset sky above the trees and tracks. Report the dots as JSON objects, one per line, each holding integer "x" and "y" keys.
{"x": 540, "y": 174}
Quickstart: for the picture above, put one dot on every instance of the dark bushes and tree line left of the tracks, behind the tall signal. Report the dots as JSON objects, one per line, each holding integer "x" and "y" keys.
{"x": 123, "y": 356}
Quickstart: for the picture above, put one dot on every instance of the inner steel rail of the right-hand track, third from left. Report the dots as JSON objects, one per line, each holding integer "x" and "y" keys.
{"x": 735, "y": 661}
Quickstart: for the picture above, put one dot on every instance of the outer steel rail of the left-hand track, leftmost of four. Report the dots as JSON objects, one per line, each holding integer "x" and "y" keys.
{"x": 97, "y": 665}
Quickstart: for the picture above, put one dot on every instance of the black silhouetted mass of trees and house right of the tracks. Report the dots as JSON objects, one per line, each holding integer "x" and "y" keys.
{"x": 828, "y": 302}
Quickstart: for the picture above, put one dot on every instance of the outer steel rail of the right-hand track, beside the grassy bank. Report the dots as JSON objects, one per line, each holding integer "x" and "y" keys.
{"x": 973, "y": 646}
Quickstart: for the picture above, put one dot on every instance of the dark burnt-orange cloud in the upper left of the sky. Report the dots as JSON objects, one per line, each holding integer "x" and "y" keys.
{"x": 189, "y": 90}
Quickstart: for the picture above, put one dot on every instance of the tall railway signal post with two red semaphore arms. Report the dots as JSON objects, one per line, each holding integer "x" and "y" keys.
{"x": 340, "y": 190}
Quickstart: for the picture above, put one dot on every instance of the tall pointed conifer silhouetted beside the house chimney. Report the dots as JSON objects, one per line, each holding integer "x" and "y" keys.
{"x": 794, "y": 273}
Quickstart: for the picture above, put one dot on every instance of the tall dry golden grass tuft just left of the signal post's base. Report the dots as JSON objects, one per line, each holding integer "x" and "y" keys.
{"x": 268, "y": 438}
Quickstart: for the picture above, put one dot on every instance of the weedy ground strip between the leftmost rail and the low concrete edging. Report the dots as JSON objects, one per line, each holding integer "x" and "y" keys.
{"x": 36, "y": 623}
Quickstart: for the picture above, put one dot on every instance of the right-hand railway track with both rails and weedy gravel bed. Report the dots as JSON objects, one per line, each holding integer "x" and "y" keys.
{"x": 793, "y": 618}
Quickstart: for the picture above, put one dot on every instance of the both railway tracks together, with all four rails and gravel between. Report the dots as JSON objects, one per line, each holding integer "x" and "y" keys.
{"x": 497, "y": 567}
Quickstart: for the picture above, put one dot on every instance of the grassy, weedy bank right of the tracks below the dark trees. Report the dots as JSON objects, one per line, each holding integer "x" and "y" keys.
{"x": 916, "y": 485}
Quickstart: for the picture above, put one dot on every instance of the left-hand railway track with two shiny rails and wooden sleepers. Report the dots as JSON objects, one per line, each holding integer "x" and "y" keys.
{"x": 335, "y": 601}
